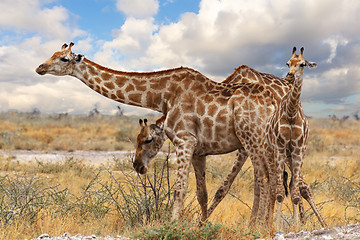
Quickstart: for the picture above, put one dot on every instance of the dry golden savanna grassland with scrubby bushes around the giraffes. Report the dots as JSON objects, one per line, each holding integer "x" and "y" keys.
{"x": 111, "y": 199}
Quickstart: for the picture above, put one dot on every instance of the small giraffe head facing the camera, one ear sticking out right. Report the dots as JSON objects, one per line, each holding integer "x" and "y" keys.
{"x": 297, "y": 63}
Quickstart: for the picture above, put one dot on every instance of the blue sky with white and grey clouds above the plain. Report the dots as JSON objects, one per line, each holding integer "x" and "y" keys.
{"x": 211, "y": 36}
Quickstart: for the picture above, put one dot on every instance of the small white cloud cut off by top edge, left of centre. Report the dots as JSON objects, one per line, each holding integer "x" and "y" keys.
{"x": 138, "y": 8}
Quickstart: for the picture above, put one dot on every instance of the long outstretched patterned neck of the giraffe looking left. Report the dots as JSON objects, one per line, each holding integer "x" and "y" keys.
{"x": 149, "y": 90}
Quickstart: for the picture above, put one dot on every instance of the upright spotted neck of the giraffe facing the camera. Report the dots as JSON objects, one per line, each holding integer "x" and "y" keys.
{"x": 293, "y": 101}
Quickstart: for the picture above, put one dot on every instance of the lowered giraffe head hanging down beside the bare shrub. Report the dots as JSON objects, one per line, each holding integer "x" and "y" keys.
{"x": 149, "y": 141}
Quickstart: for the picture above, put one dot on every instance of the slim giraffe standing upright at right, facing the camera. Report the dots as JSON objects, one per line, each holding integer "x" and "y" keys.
{"x": 287, "y": 136}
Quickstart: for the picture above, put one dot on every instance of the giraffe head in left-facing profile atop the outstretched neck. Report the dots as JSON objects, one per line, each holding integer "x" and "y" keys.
{"x": 61, "y": 63}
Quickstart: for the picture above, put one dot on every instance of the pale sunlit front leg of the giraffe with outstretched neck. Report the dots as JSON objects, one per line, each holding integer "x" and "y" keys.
{"x": 184, "y": 152}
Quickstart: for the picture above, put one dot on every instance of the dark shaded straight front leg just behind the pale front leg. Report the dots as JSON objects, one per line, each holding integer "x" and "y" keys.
{"x": 199, "y": 164}
